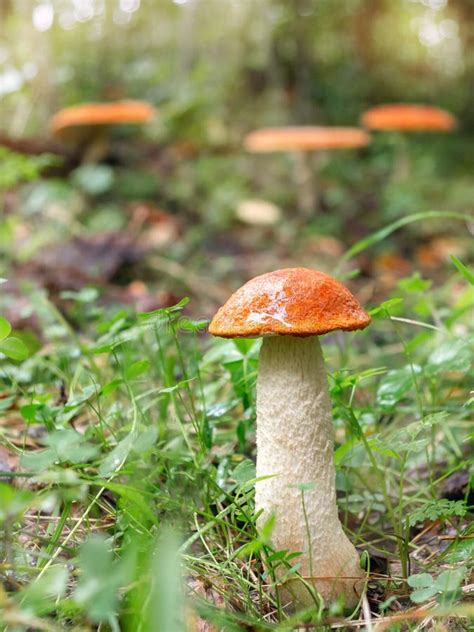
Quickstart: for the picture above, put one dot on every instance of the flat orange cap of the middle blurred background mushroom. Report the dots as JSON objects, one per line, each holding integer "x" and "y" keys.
{"x": 305, "y": 138}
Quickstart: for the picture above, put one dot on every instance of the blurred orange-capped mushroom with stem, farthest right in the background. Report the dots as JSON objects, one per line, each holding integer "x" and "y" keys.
{"x": 407, "y": 117}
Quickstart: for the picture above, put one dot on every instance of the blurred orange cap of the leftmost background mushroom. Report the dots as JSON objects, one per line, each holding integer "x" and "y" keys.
{"x": 102, "y": 114}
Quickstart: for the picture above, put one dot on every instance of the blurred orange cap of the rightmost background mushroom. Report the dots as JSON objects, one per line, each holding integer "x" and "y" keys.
{"x": 408, "y": 117}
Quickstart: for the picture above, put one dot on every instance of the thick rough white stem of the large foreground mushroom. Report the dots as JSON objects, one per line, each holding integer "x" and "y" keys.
{"x": 295, "y": 446}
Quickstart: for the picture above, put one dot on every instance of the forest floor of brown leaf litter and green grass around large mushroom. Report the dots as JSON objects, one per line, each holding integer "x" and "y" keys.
{"x": 127, "y": 433}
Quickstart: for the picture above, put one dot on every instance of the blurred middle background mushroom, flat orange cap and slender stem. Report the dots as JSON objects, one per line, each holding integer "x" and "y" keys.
{"x": 301, "y": 140}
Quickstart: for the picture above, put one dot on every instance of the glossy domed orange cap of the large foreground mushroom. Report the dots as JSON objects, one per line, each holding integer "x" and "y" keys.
{"x": 292, "y": 302}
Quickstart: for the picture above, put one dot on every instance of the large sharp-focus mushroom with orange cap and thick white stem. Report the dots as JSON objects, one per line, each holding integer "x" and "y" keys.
{"x": 289, "y": 309}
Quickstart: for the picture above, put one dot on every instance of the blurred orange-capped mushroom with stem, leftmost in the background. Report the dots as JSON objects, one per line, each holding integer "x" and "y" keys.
{"x": 84, "y": 125}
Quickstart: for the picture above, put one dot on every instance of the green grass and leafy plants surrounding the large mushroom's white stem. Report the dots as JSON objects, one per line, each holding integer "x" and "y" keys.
{"x": 128, "y": 504}
